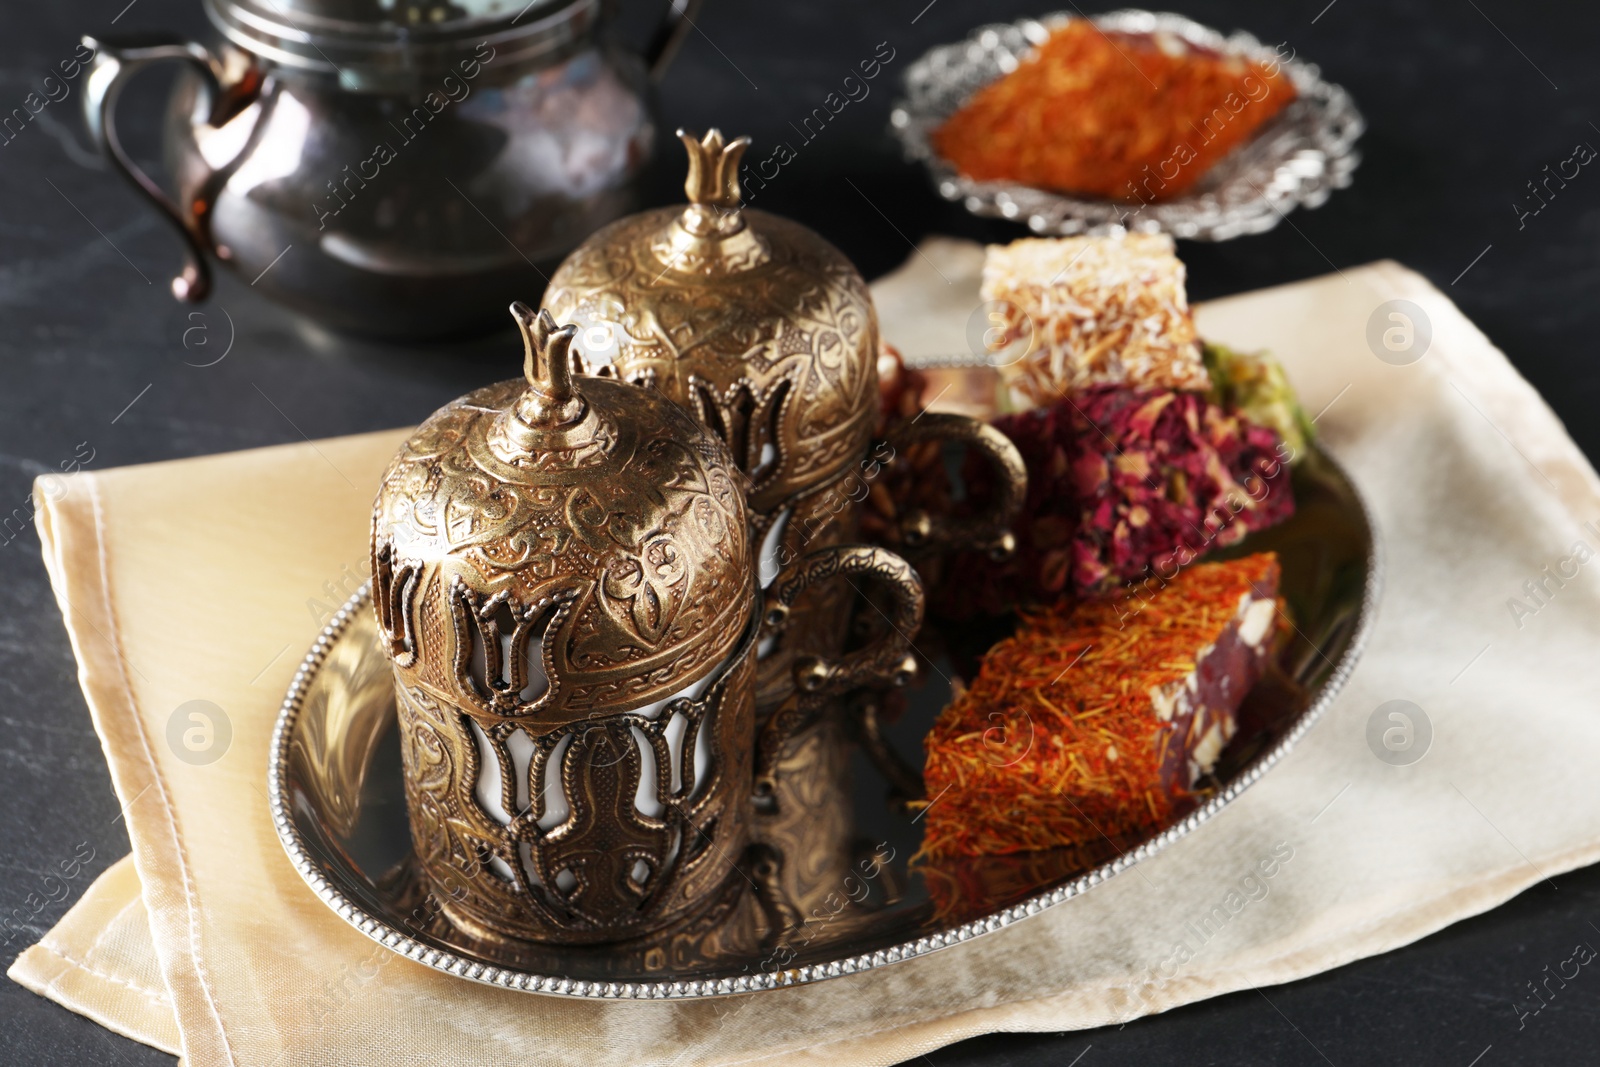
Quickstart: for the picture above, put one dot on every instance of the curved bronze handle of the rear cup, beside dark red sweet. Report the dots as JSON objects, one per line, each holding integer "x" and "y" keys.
{"x": 986, "y": 533}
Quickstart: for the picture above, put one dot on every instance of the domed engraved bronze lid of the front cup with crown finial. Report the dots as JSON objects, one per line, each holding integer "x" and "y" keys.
{"x": 553, "y": 548}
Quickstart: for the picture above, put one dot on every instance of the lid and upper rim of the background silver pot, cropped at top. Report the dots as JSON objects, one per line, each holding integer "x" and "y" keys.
{"x": 380, "y": 46}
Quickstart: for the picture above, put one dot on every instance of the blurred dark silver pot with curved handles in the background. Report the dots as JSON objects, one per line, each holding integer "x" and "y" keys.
{"x": 393, "y": 167}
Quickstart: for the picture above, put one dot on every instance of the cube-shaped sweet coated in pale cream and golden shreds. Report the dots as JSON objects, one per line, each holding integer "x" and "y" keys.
{"x": 1092, "y": 311}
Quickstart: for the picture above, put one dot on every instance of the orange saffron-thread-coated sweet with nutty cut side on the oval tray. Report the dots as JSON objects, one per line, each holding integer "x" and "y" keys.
{"x": 1098, "y": 721}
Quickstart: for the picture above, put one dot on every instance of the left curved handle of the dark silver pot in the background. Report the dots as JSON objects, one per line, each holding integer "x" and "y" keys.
{"x": 110, "y": 71}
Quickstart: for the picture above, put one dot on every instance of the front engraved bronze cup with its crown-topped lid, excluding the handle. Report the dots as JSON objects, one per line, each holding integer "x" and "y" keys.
{"x": 566, "y": 591}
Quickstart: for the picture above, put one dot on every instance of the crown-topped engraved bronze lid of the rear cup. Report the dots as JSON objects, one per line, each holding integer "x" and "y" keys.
{"x": 753, "y": 322}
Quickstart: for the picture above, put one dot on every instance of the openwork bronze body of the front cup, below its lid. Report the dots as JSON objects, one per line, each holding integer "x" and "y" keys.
{"x": 588, "y": 833}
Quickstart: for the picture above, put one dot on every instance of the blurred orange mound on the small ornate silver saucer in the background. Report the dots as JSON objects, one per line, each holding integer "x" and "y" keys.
{"x": 1135, "y": 118}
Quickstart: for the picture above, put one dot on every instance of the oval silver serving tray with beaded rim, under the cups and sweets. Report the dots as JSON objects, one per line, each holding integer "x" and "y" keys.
{"x": 338, "y": 805}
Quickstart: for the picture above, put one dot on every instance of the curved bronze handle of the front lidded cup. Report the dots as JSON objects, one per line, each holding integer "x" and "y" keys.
{"x": 887, "y": 661}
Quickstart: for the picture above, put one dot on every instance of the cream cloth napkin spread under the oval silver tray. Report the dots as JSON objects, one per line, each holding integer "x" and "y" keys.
{"x": 191, "y": 581}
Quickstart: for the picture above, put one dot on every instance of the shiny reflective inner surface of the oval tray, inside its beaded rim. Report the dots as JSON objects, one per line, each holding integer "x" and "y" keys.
{"x": 830, "y": 876}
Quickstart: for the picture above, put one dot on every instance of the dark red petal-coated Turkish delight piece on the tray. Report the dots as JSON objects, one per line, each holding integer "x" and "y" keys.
{"x": 1122, "y": 486}
